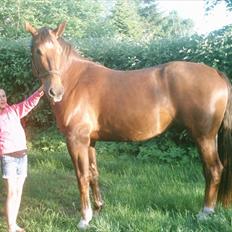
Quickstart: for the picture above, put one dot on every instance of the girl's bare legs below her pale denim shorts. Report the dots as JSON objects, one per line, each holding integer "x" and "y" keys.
{"x": 14, "y": 188}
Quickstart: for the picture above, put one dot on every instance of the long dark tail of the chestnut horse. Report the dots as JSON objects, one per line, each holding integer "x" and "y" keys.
{"x": 225, "y": 150}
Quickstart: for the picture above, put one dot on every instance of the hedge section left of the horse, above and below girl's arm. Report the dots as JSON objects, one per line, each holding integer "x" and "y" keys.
{"x": 17, "y": 79}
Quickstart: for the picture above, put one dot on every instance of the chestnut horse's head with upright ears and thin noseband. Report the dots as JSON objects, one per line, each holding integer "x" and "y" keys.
{"x": 46, "y": 59}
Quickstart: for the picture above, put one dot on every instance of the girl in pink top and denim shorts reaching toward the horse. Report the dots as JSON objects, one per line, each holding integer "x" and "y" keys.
{"x": 13, "y": 152}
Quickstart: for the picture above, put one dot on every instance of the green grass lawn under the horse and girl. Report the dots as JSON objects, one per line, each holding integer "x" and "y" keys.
{"x": 139, "y": 195}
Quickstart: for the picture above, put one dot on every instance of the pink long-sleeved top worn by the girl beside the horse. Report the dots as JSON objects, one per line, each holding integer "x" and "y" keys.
{"x": 12, "y": 135}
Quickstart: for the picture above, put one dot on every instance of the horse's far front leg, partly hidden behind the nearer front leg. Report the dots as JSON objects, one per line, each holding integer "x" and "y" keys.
{"x": 98, "y": 203}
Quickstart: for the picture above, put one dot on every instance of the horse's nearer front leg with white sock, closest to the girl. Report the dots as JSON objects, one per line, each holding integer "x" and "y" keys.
{"x": 79, "y": 154}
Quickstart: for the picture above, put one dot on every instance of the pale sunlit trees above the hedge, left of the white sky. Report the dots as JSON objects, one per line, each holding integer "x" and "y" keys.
{"x": 90, "y": 18}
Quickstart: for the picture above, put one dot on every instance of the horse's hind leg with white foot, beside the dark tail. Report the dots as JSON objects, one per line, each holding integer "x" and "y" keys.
{"x": 212, "y": 168}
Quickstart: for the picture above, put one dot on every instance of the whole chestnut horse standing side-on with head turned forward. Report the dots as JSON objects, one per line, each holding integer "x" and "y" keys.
{"x": 92, "y": 103}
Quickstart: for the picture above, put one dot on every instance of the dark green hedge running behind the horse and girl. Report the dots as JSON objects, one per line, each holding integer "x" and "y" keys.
{"x": 16, "y": 76}
